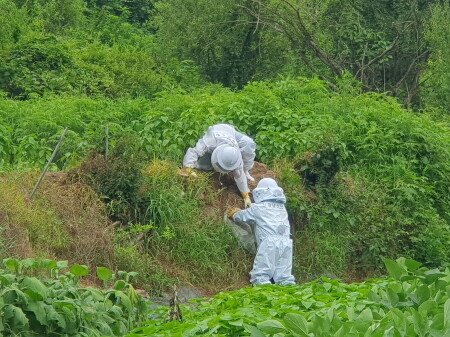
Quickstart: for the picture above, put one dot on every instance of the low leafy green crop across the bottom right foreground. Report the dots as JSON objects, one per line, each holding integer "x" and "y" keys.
{"x": 414, "y": 301}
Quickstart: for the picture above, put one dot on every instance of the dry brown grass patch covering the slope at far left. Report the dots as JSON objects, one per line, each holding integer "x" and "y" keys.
{"x": 65, "y": 220}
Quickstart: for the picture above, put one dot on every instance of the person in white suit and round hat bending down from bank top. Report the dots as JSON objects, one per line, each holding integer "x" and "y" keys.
{"x": 223, "y": 149}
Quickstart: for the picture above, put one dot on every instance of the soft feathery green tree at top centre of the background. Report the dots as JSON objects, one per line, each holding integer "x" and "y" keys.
{"x": 219, "y": 36}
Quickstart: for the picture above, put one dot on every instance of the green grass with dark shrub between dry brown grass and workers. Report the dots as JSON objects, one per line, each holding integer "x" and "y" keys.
{"x": 161, "y": 229}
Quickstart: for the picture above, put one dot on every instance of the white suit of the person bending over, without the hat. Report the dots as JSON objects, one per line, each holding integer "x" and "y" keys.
{"x": 199, "y": 157}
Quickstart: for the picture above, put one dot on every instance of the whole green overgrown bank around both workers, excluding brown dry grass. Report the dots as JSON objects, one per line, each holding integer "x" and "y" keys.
{"x": 365, "y": 178}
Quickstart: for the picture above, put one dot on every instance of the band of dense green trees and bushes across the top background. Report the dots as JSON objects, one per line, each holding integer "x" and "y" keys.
{"x": 135, "y": 48}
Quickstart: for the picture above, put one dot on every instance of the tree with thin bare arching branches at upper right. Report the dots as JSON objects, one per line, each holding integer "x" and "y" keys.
{"x": 381, "y": 43}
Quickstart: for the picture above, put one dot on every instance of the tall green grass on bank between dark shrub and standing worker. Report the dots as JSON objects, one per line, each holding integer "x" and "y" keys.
{"x": 183, "y": 237}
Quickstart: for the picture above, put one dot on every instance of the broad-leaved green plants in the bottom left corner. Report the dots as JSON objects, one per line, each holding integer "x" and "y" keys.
{"x": 57, "y": 305}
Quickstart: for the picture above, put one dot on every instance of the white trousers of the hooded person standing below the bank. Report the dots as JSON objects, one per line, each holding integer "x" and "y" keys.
{"x": 273, "y": 261}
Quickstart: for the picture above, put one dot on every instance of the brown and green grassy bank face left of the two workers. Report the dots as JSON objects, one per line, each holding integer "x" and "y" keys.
{"x": 177, "y": 235}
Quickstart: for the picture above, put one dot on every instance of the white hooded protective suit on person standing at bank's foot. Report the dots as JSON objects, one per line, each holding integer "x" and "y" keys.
{"x": 273, "y": 261}
